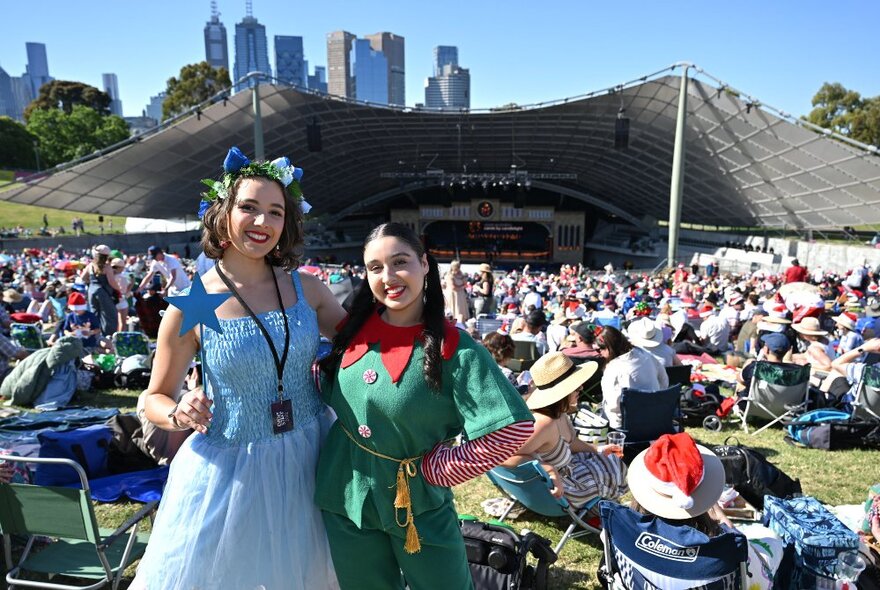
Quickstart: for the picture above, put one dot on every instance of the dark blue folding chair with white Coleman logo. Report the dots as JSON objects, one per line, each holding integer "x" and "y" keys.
{"x": 643, "y": 552}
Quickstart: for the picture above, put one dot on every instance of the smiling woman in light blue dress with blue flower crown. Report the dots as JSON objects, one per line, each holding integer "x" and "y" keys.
{"x": 238, "y": 510}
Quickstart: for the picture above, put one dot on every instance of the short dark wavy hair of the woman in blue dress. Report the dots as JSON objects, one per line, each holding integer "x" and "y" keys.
{"x": 215, "y": 227}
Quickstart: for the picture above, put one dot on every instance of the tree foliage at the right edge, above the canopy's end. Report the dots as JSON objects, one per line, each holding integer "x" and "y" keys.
{"x": 847, "y": 113}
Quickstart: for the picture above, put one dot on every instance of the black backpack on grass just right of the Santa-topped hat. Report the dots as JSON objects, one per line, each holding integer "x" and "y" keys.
{"x": 752, "y": 475}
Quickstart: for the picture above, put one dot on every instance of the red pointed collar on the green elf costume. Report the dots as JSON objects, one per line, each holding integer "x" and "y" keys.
{"x": 396, "y": 344}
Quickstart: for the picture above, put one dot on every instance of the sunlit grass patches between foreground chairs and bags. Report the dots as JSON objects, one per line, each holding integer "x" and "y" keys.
{"x": 840, "y": 477}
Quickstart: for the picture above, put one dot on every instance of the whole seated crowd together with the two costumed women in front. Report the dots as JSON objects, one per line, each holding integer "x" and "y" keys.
{"x": 359, "y": 497}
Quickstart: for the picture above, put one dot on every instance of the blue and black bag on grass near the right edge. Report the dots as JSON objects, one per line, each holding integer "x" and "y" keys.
{"x": 832, "y": 430}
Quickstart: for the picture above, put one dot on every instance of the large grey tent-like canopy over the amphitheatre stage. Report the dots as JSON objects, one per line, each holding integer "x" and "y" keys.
{"x": 745, "y": 164}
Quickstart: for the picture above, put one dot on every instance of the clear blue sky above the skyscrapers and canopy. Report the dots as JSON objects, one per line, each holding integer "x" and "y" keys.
{"x": 778, "y": 51}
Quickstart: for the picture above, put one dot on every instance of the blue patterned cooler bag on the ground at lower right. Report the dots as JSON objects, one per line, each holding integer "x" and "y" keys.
{"x": 816, "y": 535}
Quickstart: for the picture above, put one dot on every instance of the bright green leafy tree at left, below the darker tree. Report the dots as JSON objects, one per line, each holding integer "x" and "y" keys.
{"x": 64, "y": 137}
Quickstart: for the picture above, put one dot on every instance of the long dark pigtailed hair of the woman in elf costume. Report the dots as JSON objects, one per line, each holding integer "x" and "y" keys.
{"x": 363, "y": 306}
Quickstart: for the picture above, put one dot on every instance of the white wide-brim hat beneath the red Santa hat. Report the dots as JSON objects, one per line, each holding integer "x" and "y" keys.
{"x": 705, "y": 495}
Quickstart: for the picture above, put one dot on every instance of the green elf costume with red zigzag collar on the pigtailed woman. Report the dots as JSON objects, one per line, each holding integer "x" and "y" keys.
{"x": 387, "y": 413}
